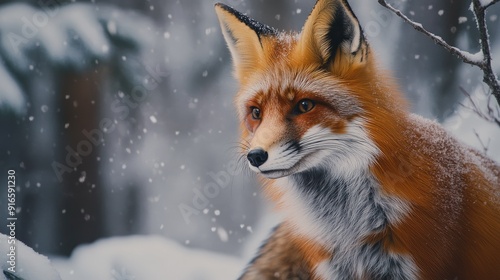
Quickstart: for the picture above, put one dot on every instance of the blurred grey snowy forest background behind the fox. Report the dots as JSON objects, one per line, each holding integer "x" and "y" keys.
{"x": 143, "y": 90}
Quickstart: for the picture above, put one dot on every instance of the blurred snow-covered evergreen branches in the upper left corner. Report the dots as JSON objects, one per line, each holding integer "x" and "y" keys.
{"x": 68, "y": 35}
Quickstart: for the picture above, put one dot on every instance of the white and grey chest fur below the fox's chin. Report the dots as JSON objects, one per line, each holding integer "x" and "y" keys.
{"x": 339, "y": 213}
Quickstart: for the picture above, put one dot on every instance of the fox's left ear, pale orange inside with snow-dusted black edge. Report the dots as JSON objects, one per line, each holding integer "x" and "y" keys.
{"x": 244, "y": 37}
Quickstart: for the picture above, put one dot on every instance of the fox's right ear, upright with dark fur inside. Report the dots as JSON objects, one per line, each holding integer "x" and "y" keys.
{"x": 332, "y": 36}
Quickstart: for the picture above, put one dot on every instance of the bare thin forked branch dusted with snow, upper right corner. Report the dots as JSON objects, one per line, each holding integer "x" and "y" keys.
{"x": 481, "y": 59}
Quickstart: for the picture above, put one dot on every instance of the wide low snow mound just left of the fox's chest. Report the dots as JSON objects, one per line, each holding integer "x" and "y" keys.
{"x": 146, "y": 257}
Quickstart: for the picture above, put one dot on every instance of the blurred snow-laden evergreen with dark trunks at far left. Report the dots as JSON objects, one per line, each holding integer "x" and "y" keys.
{"x": 54, "y": 59}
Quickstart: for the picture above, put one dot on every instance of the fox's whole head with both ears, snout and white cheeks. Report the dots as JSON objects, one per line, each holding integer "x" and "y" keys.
{"x": 310, "y": 99}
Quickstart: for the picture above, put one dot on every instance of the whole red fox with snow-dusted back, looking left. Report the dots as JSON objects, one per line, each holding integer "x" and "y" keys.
{"x": 368, "y": 190}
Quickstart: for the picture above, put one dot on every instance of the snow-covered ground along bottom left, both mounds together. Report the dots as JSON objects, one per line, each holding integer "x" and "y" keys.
{"x": 122, "y": 258}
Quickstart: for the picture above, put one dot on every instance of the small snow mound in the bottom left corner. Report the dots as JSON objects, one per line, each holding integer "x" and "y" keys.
{"x": 28, "y": 263}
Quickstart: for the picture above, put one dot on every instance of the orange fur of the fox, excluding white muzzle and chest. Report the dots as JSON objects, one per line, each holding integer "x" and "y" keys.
{"x": 452, "y": 229}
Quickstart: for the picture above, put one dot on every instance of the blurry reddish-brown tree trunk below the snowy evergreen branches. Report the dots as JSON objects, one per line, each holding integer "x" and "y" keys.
{"x": 82, "y": 218}
